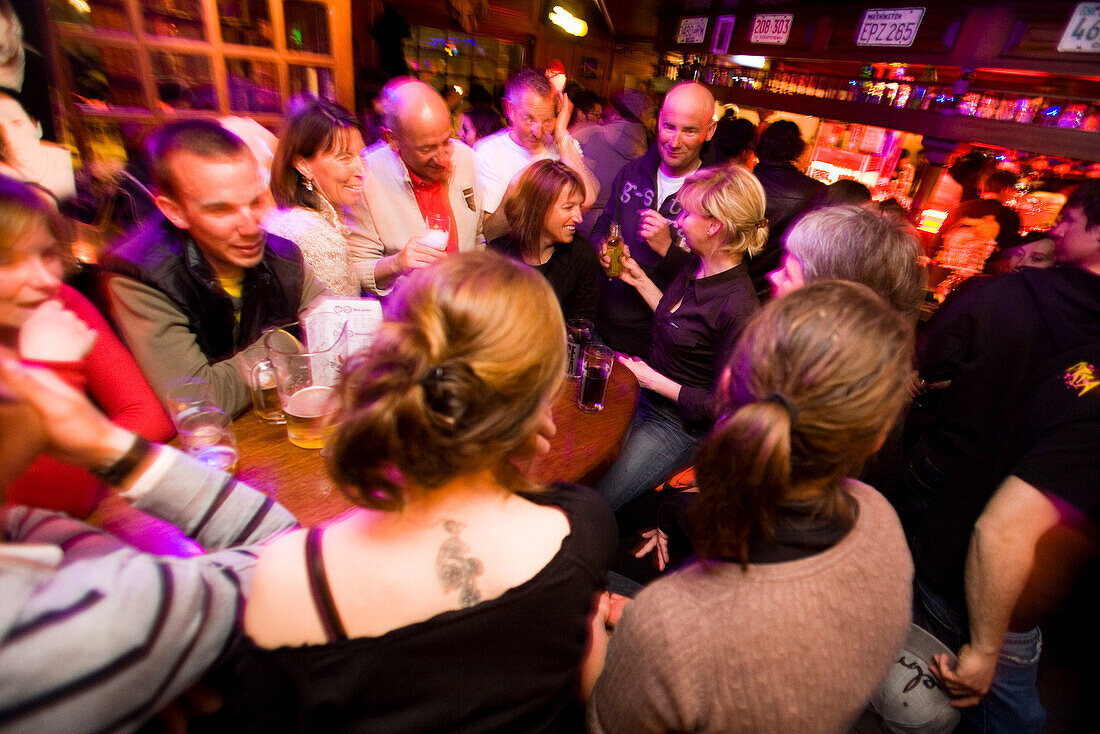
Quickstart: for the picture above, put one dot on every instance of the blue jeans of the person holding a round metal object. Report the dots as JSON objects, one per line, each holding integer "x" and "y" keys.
{"x": 1013, "y": 705}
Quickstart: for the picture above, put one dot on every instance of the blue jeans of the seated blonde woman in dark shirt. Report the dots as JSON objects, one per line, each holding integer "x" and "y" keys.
{"x": 656, "y": 446}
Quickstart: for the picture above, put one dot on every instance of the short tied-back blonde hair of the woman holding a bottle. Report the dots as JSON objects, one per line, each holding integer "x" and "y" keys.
{"x": 735, "y": 199}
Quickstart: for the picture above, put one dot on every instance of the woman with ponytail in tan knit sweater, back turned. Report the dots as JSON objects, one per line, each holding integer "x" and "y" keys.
{"x": 800, "y": 598}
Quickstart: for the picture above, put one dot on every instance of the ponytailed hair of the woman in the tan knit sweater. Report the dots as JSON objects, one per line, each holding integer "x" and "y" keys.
{"x": 818, "y": 378}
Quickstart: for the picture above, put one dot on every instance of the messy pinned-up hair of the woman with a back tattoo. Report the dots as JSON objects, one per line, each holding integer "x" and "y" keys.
{"x": 469, "y": 352}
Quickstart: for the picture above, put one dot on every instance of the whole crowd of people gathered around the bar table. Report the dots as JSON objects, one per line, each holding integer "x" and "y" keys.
{"x": 771, "y": 323}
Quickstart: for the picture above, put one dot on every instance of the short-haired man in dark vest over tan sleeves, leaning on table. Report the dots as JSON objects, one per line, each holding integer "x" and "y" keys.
{"x": 196, "y": 287}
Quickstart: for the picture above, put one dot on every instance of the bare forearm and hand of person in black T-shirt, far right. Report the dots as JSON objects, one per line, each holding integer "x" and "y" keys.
{"x": 998, "y": 566}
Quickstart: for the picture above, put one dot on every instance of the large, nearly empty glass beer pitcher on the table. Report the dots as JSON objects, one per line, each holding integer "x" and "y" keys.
{"x": 305, "y": 379}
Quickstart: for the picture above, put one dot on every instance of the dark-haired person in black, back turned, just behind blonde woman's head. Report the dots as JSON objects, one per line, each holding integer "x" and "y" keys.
{"x": 790, "y": 193}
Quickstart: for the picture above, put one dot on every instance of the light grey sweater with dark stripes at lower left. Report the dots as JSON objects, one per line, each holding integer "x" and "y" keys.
{"x": 97, "y": 637}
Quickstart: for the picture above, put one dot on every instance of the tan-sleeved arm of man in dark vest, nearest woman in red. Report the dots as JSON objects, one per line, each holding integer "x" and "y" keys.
{"x": 161, "y": 339}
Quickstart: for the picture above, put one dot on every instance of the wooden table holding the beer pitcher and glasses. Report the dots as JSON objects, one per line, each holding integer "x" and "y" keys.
{"x": 585, "y": 447}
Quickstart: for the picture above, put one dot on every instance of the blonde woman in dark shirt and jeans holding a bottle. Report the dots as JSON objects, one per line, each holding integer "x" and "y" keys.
{"x": 696, "y": 325}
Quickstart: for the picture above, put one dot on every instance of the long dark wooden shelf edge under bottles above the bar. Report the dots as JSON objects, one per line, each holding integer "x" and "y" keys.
{"x": 942, "y": 125}
